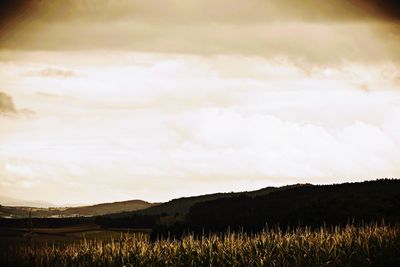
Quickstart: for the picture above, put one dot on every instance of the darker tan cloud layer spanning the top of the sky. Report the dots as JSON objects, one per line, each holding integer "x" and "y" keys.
{"x": 319, "y": 32}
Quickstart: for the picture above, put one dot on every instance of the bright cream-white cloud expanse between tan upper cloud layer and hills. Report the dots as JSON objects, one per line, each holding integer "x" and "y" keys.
{"x": 203, "y": 123}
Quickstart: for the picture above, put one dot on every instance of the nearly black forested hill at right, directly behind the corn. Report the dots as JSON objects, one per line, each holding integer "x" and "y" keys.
{"x": 311, "y": 205}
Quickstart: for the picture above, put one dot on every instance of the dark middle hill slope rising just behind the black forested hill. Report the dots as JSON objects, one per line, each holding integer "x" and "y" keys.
{"x": 182, "y": 205}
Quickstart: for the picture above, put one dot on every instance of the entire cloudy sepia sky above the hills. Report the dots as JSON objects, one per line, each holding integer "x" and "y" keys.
{"x": 154, "y": 100}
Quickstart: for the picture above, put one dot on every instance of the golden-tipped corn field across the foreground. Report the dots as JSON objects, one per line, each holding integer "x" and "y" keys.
{"x": 347, "y": 246}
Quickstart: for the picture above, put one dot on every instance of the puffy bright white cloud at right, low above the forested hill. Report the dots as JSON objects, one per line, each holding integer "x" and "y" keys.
{"x": 272, "y": 148}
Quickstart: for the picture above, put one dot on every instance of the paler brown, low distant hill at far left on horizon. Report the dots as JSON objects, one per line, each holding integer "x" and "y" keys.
{"x": 85, "y": 211}
